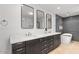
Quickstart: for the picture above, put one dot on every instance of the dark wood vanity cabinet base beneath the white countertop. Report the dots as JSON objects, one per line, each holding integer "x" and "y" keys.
{"x": 37, "y": 46}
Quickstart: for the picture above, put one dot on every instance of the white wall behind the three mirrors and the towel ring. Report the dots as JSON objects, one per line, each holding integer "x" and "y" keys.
{"x": 12, "y": 13}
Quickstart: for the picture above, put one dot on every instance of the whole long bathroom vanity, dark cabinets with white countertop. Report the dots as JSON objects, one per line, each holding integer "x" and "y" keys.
{"x": 42, "y": 44}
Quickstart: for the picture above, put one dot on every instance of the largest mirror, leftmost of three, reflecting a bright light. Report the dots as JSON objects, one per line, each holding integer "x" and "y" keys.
{"x": 27, "y": 17}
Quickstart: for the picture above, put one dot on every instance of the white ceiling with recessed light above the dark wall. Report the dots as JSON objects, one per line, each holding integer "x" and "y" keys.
{"x": 64, "y": 10}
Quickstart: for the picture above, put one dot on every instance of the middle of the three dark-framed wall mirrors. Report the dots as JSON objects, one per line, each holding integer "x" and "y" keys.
{"x": 40, "y": 23}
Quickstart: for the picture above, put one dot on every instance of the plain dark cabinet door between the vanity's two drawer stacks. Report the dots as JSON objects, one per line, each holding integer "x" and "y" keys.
{"x": 33, "y": 47}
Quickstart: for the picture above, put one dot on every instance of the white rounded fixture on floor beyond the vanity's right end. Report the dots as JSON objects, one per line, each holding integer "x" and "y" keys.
{"x": 66, "y": 38}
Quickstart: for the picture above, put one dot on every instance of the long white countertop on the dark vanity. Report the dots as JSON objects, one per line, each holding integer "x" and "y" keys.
{"x": 23, "y": 37}
